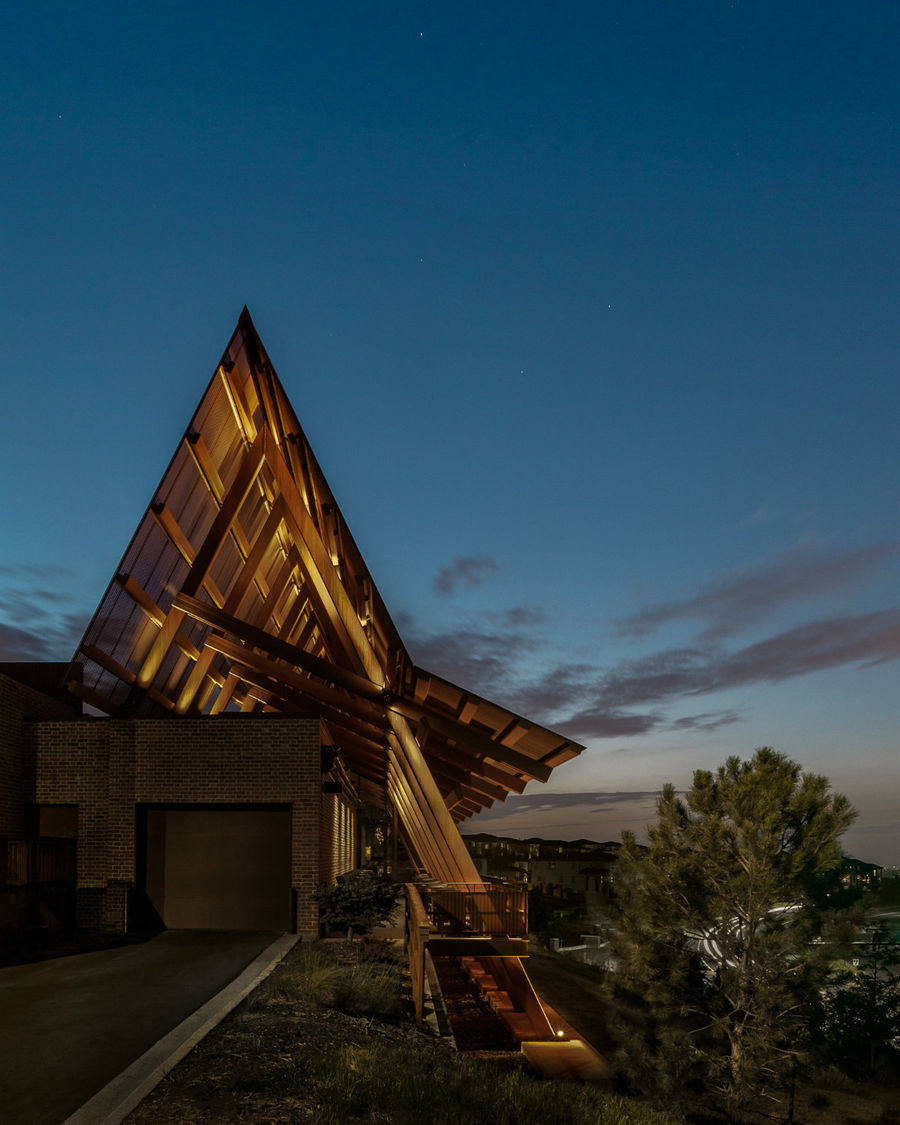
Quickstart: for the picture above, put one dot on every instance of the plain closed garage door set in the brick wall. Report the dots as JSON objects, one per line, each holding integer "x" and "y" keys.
{"x": 220, "y": 869}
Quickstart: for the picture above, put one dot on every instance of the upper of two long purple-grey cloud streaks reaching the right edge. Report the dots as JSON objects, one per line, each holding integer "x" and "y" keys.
{"x": 736, "y": 600}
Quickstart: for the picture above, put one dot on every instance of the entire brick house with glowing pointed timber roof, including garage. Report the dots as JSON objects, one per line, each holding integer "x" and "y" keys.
{"x": 256, "y": 724}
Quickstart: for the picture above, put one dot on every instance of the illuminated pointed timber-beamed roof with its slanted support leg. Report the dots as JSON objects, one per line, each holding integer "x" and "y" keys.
{"x": 244, "y": 590}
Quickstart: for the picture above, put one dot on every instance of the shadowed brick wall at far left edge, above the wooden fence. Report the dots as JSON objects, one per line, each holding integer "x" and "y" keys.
{"x": 19, "y": 704}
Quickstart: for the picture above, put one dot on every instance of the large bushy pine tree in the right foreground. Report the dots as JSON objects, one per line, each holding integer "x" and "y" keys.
{"x": 714, "y": 930}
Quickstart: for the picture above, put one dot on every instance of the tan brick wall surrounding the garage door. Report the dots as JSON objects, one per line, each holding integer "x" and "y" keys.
{"x": 107, "y": 767}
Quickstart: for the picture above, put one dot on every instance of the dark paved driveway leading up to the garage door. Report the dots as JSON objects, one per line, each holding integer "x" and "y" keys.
{"x": 70, "y": 1025}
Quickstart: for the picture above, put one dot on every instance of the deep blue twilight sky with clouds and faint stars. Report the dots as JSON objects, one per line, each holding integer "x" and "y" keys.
{"x": 590, "y": 311}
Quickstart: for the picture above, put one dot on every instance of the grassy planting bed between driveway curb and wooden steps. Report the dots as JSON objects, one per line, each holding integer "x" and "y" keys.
{"x": 330, "y": 1038}
